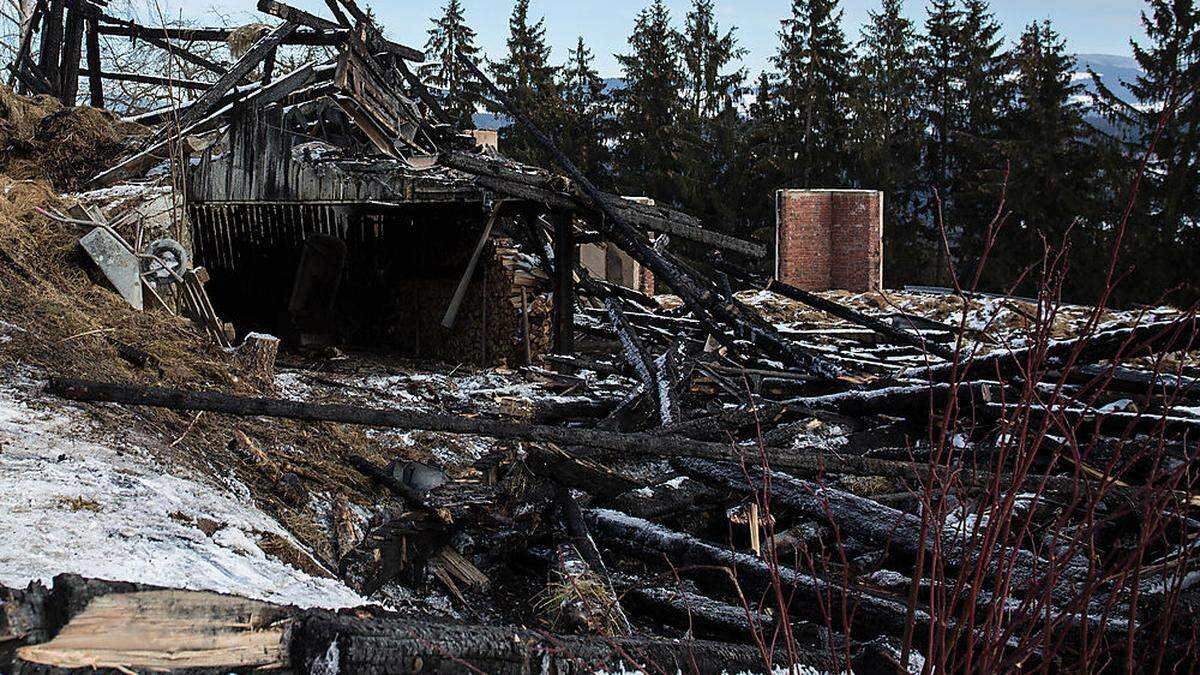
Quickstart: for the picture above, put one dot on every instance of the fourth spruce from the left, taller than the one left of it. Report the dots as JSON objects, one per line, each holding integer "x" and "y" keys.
{"x": 650, "y": 109}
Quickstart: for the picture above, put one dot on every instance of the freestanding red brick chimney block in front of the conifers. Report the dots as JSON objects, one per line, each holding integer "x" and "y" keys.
{"x": 830, "y": 240}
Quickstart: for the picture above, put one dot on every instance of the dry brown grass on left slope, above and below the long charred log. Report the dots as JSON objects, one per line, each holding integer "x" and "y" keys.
{"x": 69, "y": 322}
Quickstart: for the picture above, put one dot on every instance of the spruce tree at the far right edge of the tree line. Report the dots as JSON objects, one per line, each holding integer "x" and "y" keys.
{"x": 1162, "y": 242}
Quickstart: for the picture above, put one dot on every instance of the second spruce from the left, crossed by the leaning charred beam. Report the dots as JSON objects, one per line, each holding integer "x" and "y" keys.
{"x": 530, "y": 81}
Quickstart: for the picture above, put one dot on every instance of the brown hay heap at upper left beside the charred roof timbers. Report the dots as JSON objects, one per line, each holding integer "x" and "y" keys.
{"x": 41, "y": 139}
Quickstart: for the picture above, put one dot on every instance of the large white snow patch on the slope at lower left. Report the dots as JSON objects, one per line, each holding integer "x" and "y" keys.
{"x": 75, "y": 505}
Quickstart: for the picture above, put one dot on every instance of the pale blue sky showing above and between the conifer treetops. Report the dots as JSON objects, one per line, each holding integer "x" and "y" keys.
{"x": 1091, "y": 27}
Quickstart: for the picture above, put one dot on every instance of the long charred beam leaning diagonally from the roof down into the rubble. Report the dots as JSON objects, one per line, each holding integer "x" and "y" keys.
{"x": 700, "y": 300}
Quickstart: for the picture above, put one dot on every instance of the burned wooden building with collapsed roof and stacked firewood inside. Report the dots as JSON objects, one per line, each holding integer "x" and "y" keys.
{"x": 335, "y": 205}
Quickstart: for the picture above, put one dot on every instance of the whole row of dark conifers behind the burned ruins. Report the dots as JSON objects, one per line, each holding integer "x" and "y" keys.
{"x": 956, "y": 124}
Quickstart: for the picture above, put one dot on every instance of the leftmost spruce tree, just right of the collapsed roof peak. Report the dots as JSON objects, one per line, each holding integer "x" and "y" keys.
{"x": 458, "y": 88}
